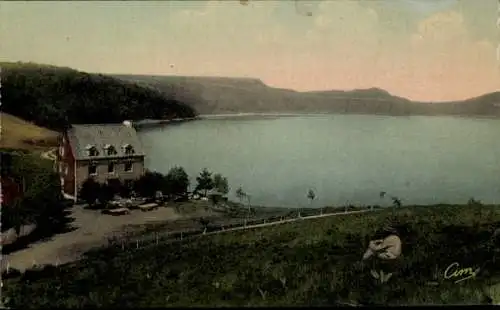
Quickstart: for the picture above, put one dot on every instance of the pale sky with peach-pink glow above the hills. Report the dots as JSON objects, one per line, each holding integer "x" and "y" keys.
{"x": 430, "y": 50}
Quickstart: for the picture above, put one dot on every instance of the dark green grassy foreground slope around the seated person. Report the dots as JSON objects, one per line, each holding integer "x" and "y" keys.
{"x": 314, "y": 262}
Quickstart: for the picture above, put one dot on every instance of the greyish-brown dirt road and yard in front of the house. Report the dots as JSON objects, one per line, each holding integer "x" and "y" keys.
{"x": 92, "y": 230}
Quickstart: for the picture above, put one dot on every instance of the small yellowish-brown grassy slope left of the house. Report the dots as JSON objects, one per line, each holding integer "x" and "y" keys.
{"x": 19, "y": 134}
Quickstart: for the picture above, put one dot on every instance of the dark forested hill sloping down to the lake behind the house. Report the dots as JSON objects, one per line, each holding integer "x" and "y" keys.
{"x": 55, "y": 97}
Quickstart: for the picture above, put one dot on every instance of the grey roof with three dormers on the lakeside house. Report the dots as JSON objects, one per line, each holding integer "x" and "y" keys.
{"x": 84, "y": 136}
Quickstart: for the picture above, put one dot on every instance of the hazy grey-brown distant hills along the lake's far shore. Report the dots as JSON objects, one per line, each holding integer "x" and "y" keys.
{"x": 219, "y": 95}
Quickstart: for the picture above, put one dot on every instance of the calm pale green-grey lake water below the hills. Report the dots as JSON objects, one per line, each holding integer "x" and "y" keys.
{"x": 343, "y": 158}
